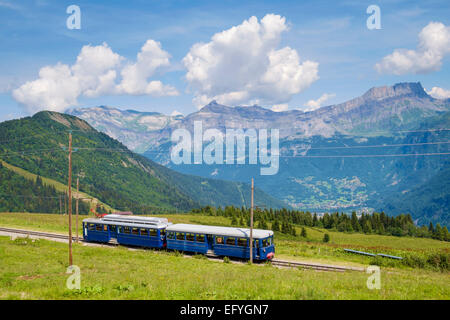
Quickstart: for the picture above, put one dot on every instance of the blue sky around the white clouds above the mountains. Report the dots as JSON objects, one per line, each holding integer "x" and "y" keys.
{"x": 33, "y": 34}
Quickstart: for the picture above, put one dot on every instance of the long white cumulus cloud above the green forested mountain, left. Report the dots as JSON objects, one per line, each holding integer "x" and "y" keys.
{"x": 94, "y": 73}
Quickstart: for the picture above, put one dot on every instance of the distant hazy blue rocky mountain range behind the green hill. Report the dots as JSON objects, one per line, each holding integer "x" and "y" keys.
{"x": 374, "y": 152}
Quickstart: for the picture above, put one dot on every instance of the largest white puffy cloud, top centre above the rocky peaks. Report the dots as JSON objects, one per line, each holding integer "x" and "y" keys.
{"x": 242, "y": 65}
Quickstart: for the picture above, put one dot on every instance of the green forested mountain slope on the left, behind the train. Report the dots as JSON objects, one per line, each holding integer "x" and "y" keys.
{"x": 109, "y": 171}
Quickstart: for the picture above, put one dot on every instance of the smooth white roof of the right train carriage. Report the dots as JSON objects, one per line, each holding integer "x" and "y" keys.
{"x": 220, "y": 231}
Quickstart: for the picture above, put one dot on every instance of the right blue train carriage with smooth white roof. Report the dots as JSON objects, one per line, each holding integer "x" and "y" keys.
{"x": 221, "y": 241}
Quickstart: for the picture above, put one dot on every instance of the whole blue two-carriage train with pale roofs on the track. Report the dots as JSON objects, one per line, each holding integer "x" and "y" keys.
{"x": 156, "y": 232}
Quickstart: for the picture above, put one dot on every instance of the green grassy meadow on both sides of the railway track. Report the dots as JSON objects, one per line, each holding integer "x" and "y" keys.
{"x": 36, "y": 270}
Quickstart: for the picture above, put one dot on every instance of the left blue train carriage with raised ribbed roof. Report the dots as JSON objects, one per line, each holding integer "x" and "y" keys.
{"x": 137, "y": 231}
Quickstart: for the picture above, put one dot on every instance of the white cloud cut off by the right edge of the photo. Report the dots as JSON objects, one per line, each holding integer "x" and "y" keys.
{"x": 434, "y": 44}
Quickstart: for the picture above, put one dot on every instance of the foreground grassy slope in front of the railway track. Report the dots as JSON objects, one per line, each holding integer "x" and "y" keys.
{"x": 37, "y": 271}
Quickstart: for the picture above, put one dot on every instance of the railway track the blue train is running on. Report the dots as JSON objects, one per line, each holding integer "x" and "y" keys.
{"x": 275, "y": 262}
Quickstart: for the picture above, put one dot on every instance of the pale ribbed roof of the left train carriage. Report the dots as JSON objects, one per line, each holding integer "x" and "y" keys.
{"x": 128, "y": 221}
